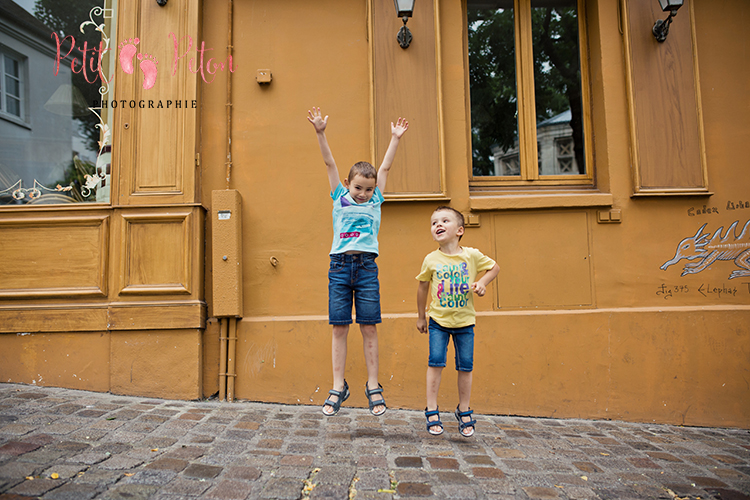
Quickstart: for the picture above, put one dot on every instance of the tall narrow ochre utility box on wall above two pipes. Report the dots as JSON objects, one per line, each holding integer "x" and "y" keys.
{"x": 226, "y": 231}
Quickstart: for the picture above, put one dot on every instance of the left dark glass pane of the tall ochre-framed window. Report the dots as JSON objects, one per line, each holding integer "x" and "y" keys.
{"x": 492, "y": 80}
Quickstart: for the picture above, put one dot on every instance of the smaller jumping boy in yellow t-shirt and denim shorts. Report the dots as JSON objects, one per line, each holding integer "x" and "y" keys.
{"x": 452, "y": 270}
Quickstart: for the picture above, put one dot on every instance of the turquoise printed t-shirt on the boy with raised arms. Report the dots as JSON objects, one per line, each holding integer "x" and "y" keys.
{"x": 355, "y": 226}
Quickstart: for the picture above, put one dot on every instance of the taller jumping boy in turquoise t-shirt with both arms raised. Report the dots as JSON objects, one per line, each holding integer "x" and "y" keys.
{"x": 353, "y": 275}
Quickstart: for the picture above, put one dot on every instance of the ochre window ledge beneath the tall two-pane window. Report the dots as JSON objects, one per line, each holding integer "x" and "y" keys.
{"x": 522, "y": 201}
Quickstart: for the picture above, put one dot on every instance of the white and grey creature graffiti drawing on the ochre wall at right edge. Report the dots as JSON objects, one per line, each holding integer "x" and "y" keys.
{"x": 703, "y": 249}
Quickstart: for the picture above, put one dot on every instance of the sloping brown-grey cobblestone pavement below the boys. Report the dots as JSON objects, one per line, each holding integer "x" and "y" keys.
{"x": 61, "y": 444}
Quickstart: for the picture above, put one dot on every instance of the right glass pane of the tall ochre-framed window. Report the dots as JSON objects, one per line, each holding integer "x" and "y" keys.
{"x": 557, "y": 87}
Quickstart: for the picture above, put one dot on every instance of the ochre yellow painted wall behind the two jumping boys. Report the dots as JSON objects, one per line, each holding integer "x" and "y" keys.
{"x": 603, "y": 344}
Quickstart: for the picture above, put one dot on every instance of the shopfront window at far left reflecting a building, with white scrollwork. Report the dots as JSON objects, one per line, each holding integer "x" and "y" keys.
{"x": 55, "y": 145}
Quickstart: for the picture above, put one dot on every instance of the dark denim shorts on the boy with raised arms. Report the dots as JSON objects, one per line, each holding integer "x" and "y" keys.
{"x": 353, "y": 278}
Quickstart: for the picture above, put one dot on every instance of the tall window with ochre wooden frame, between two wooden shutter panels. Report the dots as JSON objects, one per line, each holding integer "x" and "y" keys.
{"x": 527, "y": 92}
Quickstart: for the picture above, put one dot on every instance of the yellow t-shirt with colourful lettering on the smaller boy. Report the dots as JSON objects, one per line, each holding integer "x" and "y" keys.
{"x": 452, "y": 303}
